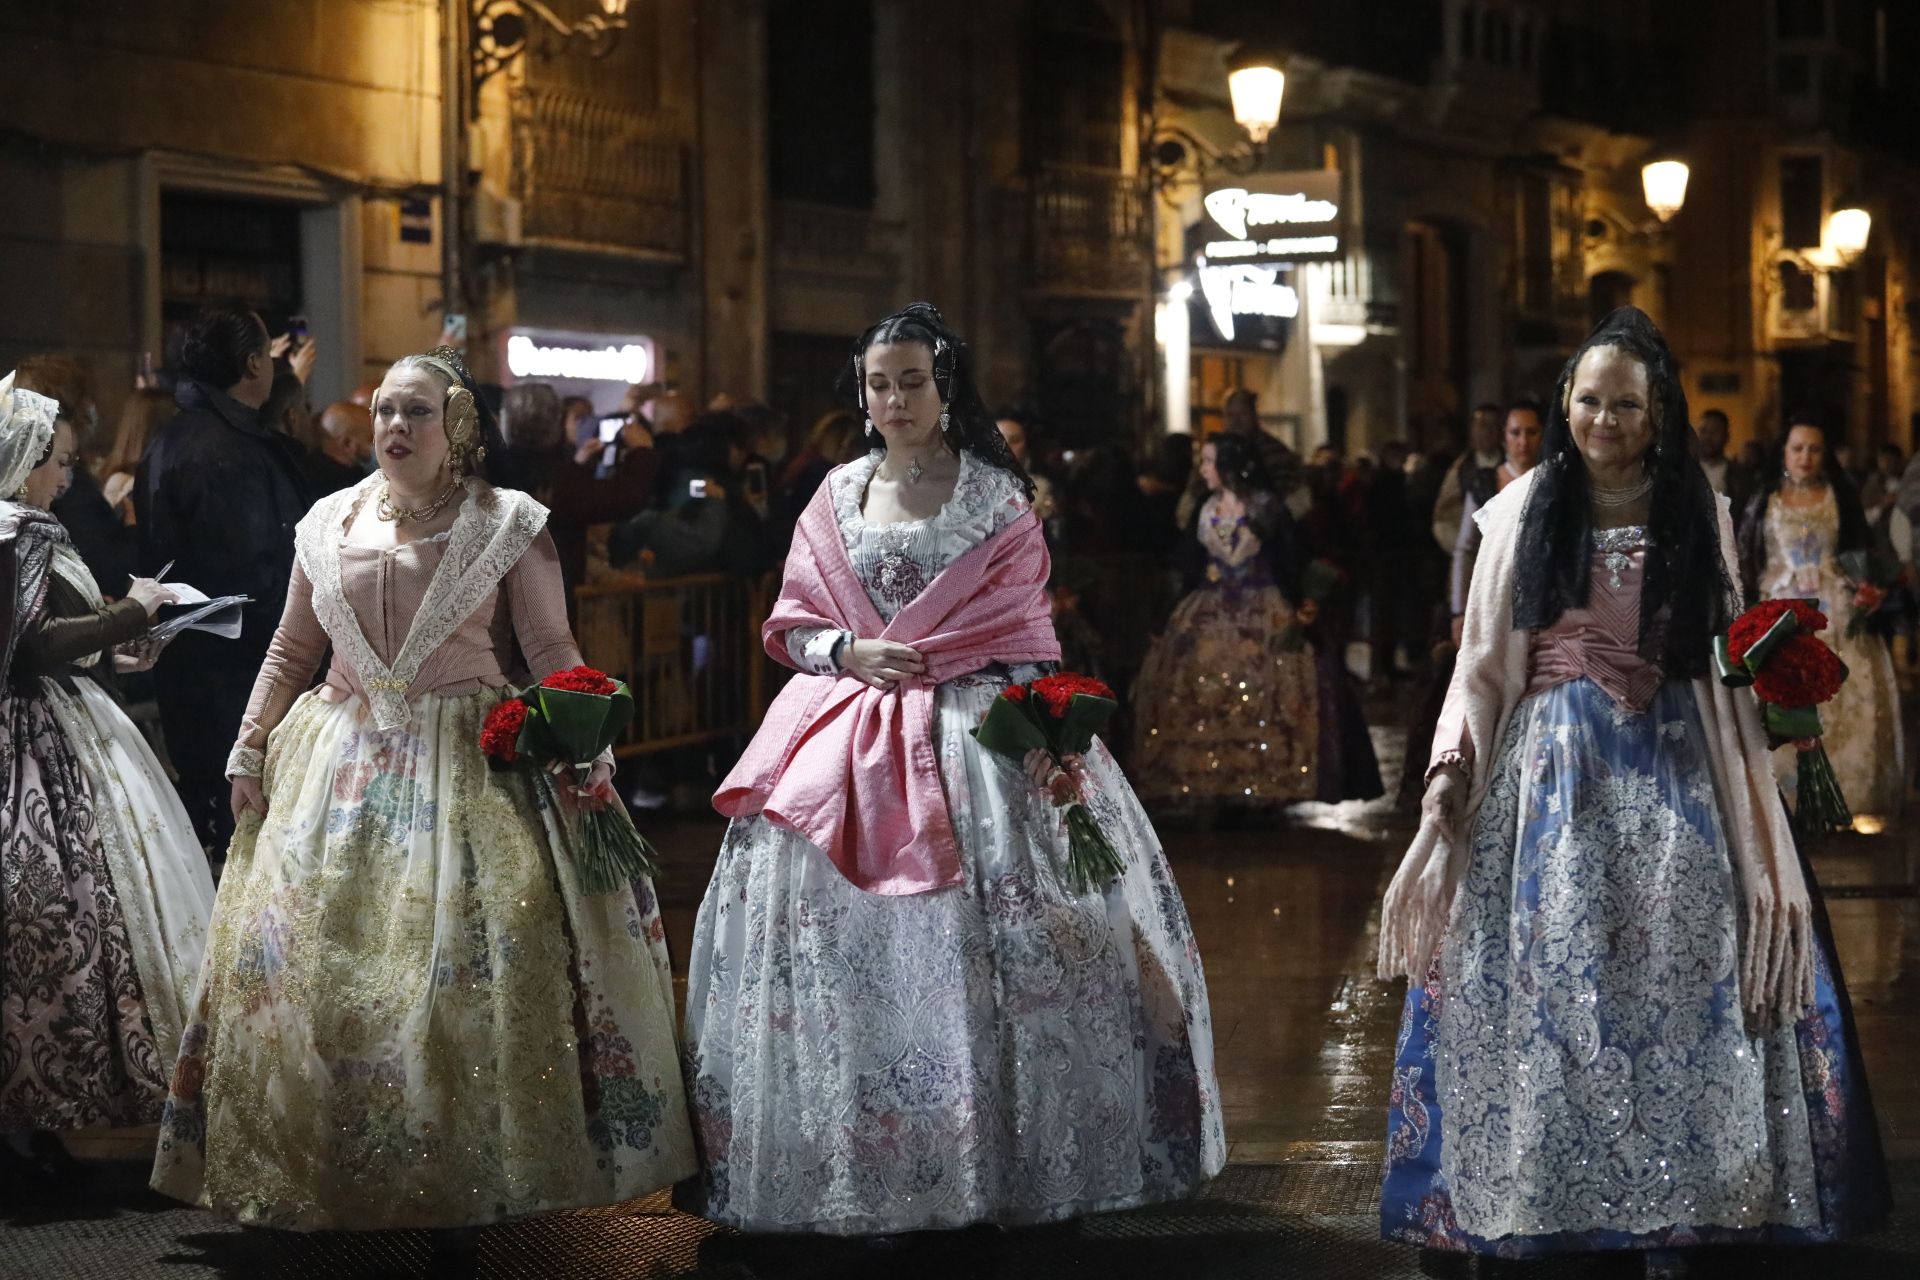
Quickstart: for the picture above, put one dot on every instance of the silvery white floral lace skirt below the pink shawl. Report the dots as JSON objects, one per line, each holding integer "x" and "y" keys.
{"x": 1003, "y": 1051}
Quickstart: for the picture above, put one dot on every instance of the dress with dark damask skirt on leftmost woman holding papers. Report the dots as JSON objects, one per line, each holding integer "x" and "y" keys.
{"x": 107, "y": 888}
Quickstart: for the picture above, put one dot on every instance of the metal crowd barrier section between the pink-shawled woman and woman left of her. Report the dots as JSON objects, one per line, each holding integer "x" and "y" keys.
{"x": 690, "y": 652}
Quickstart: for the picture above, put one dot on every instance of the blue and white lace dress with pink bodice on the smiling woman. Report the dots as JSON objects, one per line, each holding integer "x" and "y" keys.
{"x": 1589, "y": 1062}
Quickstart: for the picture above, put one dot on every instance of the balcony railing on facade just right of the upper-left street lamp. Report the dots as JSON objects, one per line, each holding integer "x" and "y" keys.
{"x": 592, "y": 174}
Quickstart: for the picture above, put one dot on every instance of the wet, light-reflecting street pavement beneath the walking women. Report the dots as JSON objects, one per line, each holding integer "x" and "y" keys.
{"x": 1305, "y": 1039}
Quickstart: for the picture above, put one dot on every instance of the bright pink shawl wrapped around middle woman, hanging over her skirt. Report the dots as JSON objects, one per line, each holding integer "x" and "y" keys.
{"x": 850, "y": 767}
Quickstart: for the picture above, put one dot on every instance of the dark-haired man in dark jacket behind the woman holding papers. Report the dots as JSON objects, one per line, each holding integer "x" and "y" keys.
{"x": 218, "y": 498}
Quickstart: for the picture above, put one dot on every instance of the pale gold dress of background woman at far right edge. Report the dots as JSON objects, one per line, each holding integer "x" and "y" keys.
{"x": 1863, "y": 723}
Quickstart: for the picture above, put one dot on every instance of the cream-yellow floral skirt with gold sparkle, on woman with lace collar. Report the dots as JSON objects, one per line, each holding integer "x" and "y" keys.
{"x": 410, "y": 1014}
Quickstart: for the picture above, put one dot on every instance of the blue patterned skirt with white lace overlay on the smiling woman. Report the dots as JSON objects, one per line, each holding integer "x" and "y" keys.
{"x": 1575, "y": 1074}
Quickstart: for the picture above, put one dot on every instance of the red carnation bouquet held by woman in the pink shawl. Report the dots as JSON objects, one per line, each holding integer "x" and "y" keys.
{"x": 1061, "y": 717}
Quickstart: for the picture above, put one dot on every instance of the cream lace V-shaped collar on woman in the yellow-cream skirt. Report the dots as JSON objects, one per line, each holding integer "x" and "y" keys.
{"x": 489, "y": 536}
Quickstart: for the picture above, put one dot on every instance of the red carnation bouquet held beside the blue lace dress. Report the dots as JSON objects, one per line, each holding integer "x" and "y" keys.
{"x": 1777, "y": 650}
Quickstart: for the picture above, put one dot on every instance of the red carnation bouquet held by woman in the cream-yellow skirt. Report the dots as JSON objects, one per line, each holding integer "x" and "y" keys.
{"x": 569, "y": 721}
